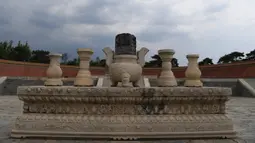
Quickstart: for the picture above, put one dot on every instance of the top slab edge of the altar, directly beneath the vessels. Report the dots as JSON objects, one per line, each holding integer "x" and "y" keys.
{"x": 135, "y": 91}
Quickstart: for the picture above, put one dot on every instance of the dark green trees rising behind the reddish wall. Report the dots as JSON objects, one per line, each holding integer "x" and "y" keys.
{"x": 23, "y": 52}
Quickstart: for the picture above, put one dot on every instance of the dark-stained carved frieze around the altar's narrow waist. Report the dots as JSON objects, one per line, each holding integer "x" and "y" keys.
{"x": 118, "y": 109}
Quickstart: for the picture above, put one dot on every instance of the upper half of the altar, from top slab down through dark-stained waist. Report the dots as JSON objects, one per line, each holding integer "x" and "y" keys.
{"x": 123, "y": 101}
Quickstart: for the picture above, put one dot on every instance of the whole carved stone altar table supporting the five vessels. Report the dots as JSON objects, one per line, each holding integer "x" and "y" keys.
{"x": 121, "y": 113}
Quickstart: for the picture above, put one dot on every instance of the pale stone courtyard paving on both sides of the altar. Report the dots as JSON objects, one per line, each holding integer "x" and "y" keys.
{"x": 241, "y": 110}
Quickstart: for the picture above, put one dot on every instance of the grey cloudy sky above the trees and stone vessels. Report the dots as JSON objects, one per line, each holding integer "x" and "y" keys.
{"x": 210, "y": 28}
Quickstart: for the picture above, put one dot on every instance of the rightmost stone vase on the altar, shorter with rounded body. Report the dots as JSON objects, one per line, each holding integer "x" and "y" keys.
{"x": 193, "y": 72}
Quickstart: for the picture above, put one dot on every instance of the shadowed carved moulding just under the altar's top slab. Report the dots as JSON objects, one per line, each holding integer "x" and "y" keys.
{"x": 123, "y": 100}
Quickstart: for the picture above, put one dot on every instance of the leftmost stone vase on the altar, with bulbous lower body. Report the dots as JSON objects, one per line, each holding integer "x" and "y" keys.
{"x": 54, "y": 72}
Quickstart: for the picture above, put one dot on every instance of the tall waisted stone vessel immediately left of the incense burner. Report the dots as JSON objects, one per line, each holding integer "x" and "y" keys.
{"x": 83, "y": 77}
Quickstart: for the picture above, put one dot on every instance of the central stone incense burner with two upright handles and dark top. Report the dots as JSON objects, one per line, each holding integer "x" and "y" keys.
{"x": 125, "y": 64}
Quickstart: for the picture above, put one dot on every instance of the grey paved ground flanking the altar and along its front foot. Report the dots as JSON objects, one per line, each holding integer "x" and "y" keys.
{"x": 240, "y": 109}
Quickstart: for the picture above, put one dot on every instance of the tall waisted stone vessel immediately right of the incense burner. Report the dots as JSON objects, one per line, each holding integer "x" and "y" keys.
{"x": 166, "y": 77}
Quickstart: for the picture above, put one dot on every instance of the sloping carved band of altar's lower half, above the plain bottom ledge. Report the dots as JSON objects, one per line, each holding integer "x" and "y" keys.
{"x": 183, "y": 123}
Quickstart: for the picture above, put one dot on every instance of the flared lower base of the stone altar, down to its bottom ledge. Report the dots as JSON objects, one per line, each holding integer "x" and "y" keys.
{"x": 123, "y": 126}
